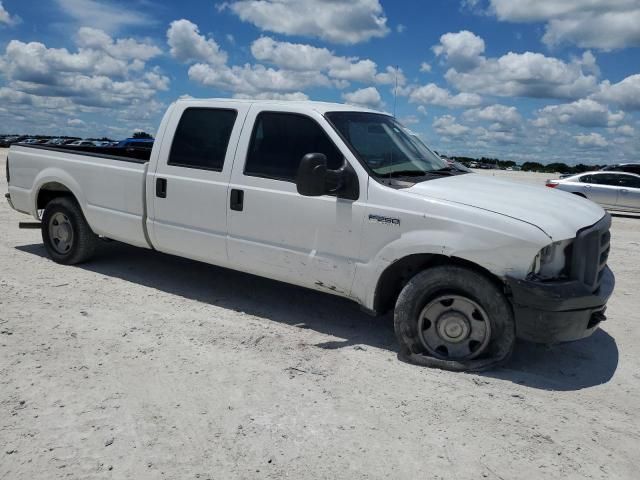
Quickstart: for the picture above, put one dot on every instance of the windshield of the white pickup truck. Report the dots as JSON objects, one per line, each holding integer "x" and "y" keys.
{"x": 384, "y": 145}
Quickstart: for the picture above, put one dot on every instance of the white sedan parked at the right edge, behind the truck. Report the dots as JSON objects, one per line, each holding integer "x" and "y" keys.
{"x": 612, "y": 190}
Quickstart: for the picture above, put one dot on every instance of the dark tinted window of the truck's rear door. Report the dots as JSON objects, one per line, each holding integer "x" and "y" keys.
{"x": 202, "y": 138}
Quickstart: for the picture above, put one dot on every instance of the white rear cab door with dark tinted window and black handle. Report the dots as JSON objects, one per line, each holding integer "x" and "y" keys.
{"x": 190, "y": 184}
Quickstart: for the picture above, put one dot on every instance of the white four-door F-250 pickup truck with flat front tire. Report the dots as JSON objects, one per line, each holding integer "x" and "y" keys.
{"x": 338, "y": 199}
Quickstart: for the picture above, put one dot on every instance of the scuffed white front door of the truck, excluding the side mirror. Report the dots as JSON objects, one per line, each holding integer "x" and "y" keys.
{"x": 276, "y": 232}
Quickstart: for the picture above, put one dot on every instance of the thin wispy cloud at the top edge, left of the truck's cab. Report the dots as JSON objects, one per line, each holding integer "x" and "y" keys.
{"x": 104, "y": 14}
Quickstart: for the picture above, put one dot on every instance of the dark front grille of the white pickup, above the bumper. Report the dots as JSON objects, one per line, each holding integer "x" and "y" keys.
{"x": 590, "y": 253}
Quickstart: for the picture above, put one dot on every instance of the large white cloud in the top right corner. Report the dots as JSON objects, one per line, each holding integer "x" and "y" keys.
{"x": 603, "y": 24}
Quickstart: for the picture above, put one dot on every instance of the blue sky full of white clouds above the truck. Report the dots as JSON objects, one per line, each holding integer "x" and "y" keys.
{"x": 543, "y": 80}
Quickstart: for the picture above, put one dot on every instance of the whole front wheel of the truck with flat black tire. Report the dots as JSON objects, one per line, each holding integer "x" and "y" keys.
{"x": 454, "y": 318}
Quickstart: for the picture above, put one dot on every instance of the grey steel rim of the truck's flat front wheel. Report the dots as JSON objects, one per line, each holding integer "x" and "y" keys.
{"x": 453, "y": 327}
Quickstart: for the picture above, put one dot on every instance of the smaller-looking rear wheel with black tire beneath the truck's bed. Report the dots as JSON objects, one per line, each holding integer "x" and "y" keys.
{"x": 78, "y": 236}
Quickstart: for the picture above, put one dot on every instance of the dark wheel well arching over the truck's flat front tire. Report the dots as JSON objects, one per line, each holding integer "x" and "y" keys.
{"x": 396, "y": 276}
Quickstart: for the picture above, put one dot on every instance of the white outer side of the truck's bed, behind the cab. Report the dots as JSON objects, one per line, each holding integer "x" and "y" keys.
{"x": 109, "y": 188}
